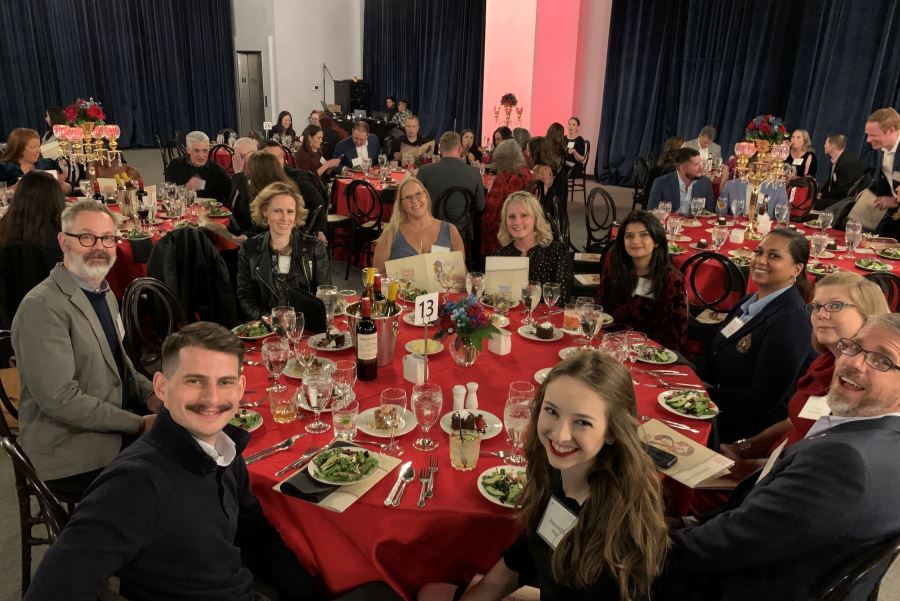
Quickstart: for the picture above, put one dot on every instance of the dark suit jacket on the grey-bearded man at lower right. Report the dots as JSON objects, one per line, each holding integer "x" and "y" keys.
{"x": 828, "y": 500}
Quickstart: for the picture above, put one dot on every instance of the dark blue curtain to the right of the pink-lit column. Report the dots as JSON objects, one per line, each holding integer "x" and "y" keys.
{"x": 675, "y": 66}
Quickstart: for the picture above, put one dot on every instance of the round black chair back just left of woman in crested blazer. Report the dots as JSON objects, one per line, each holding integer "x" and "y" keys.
{"x": 713, "y": 281}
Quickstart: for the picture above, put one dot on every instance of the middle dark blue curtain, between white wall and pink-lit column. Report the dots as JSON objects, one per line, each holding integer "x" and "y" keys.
{"x": 430, "y": 53}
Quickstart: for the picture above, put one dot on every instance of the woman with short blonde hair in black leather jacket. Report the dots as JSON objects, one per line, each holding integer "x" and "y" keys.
{"x": 282, "y": 265}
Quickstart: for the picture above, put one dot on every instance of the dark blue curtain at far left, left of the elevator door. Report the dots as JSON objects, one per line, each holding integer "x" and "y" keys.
{"x": 158, "y": 66}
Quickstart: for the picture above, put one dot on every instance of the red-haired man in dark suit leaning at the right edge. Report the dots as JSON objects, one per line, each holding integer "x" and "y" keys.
{"x": 883, "y": 133}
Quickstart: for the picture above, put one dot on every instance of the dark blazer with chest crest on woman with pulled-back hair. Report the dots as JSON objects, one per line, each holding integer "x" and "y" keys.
{"x": 753, "y": 372}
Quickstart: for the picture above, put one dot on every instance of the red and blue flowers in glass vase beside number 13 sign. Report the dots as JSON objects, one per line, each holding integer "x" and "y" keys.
{"x": 467, "y": 326}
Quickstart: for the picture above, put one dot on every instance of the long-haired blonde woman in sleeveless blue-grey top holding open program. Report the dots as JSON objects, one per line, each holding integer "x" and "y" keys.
{"x": 413, "y": 230}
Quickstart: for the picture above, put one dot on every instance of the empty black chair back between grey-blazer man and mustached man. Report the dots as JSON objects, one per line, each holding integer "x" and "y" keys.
{"x": 150, "y": 312}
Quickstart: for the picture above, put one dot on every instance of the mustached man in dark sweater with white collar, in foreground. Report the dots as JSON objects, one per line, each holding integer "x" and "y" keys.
{"x": 174, "y": 517}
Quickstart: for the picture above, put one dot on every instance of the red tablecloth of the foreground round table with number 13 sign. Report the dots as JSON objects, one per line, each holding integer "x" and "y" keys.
{"x": 459, "y": 533}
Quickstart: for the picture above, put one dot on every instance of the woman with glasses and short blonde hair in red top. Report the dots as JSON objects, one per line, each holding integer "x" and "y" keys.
{"x": 842, "y": 303}
